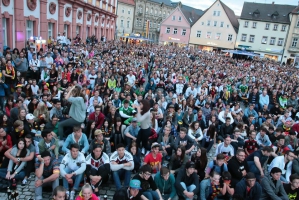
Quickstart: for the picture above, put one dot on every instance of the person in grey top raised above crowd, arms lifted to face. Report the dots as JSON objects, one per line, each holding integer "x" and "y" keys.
{"x": 77, "y": 110}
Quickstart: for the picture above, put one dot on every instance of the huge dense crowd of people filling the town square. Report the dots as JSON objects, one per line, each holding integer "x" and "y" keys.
{"x": 149, "y": 118}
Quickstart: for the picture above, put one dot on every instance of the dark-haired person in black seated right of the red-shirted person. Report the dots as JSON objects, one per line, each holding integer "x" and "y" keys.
{"x": 178, "y": 160}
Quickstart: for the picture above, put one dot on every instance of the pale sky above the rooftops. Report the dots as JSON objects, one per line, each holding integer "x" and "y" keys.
{"x": 235, "y": 5}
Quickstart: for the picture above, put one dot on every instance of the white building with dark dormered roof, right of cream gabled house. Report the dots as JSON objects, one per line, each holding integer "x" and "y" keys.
{"x": 264, "y": 28}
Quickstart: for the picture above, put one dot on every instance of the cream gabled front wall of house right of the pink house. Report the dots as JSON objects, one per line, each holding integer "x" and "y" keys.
{"x": 225, "y": 31}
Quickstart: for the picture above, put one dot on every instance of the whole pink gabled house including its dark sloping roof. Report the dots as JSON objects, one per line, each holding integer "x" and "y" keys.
{"x": 175, "y": 29}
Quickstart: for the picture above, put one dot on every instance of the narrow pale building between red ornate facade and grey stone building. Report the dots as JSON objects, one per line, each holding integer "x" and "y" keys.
{"x": 125, "y": 17}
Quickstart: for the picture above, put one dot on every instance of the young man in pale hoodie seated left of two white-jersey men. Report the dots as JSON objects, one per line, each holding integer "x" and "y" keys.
{"x": 72, "y": 168}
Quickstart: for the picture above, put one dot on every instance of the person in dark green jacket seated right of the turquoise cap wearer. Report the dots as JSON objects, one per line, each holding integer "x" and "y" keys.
{"x": 165, "y": 182}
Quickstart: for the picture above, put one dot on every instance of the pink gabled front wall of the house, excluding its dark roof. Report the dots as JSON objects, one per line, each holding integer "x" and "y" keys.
{"x": 171, "y": 24}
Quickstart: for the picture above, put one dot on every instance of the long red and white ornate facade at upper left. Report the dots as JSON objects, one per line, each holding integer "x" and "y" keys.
{"x": 24, "y": 19}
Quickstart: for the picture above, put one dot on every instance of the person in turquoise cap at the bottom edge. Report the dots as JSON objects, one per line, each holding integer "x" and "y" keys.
{"x": 133, "y": 192}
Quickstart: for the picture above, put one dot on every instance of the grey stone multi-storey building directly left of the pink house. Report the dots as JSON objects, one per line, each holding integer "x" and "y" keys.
{"x": 153, "y": 10}
